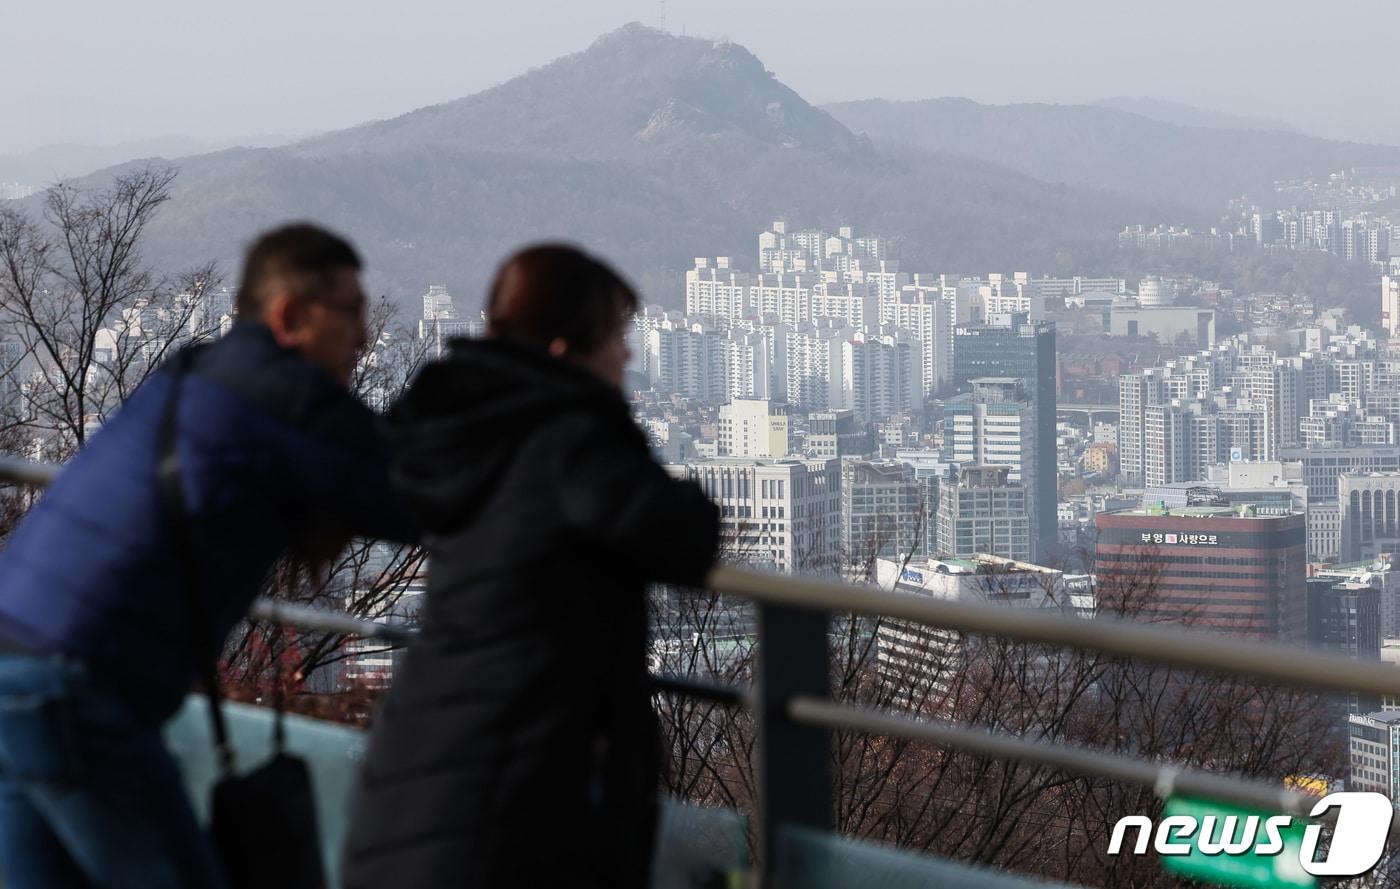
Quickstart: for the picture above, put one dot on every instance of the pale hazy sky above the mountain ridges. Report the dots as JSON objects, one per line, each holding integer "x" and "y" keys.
{"x": 103, "y": 72}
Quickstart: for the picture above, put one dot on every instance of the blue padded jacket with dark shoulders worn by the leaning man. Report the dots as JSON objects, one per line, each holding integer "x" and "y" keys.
{"x": 272, "y": 451}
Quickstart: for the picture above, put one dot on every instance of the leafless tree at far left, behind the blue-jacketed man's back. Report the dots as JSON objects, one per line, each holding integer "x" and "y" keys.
{"x": 90, "y": 317}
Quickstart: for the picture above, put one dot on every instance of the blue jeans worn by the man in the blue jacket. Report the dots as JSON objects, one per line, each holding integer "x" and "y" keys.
{"x": 89, "y": 794}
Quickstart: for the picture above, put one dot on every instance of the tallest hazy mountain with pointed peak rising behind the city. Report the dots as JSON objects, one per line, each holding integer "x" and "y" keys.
{"x": 649, "y": 149}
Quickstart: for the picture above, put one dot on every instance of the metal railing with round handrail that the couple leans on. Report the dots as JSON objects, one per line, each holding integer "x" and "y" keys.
{"x": 796, "y": 716}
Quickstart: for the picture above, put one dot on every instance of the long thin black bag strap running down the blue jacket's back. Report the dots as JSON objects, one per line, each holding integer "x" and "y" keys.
{"x": 178, "y": 527}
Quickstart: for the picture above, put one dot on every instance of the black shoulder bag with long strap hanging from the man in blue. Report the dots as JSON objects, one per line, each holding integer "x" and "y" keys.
{"x": 262, "y": 824}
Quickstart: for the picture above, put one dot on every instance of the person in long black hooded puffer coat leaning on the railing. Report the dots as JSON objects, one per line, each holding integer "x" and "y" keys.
{"x": 517, "y": 747}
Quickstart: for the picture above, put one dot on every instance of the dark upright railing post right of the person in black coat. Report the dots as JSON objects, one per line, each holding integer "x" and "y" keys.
{"x": 794, "y": 761}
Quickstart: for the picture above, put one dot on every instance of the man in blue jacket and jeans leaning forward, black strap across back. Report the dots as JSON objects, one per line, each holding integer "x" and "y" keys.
{"x": 99, "y": 643}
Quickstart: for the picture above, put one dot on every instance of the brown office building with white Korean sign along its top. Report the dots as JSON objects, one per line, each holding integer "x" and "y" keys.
{"x": 1210, "y": 566}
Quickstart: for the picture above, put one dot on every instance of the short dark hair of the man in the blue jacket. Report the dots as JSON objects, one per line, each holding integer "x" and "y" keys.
{"x": 299, "y": 258}
